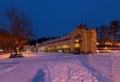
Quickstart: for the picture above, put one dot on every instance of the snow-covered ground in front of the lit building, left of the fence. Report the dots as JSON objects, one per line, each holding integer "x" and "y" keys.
{"x": 48, "y": 67}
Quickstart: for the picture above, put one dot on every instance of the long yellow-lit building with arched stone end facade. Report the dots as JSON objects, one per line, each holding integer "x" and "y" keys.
{"x": 80, "y": 40}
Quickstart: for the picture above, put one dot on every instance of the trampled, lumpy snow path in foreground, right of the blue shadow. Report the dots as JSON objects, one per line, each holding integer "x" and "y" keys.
{"x": 70, "y": 71}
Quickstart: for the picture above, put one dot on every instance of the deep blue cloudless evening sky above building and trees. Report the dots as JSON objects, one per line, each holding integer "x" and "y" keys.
{"x": 59, "y": 17}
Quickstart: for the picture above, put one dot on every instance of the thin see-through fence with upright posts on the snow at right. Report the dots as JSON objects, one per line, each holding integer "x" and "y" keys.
{"x": 106, "y": 64}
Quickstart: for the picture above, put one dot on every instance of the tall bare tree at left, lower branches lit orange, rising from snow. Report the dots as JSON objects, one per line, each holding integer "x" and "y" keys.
{"x": 18, "y": 27}
